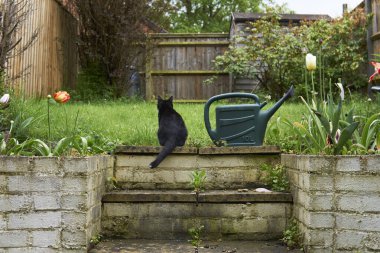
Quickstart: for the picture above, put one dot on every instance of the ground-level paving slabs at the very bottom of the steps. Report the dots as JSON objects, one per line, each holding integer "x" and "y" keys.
{"x": 176, "y": 246}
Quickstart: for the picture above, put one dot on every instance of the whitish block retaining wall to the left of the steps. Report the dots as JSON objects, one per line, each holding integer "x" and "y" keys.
{"x": 50, "y": 204}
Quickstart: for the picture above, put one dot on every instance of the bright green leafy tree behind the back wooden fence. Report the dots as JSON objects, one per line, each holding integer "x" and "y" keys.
{"x": 207, "y": 15}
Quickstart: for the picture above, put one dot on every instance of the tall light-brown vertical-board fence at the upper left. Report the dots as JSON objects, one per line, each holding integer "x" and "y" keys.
{"x": 50, "y": 63}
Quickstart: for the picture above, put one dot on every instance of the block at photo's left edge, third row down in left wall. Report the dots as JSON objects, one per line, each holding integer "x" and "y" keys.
{"x": 14, "y": 203}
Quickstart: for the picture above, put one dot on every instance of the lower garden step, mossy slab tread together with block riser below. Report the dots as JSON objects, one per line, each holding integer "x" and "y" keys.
{"x": 230, "y": 214}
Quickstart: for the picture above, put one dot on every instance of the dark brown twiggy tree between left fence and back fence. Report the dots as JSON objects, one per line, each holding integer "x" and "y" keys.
{"x": 112, "y": 35}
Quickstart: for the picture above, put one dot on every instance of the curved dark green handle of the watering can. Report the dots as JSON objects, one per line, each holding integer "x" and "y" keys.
{"x": 206, "y": 113}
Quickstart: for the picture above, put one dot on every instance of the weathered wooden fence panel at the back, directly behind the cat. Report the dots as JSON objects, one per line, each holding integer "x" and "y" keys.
{"x": 177, "y": 65}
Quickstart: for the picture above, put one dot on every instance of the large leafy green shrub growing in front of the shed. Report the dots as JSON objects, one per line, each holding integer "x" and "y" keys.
{"x": 274, "y": 55}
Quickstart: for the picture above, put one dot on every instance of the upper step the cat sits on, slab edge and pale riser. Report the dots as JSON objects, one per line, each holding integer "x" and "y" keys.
{"x": 226, "y": 167}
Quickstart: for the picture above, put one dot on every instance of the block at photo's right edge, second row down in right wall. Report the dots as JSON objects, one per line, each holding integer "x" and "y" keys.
{"x": 358, "y": 183}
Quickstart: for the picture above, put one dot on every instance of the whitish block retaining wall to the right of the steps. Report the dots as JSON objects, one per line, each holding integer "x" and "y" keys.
{"x": 336, "y": 201}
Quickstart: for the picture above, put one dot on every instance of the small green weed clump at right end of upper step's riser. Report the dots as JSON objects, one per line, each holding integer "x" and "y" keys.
{"x": 275, "y": 177}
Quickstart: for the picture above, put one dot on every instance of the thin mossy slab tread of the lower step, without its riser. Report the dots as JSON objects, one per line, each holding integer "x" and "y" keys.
{"x": 213, "y": 196}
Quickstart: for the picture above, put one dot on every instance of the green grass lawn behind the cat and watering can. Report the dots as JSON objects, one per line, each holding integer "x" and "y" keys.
{"x": 128, "y": 122}
